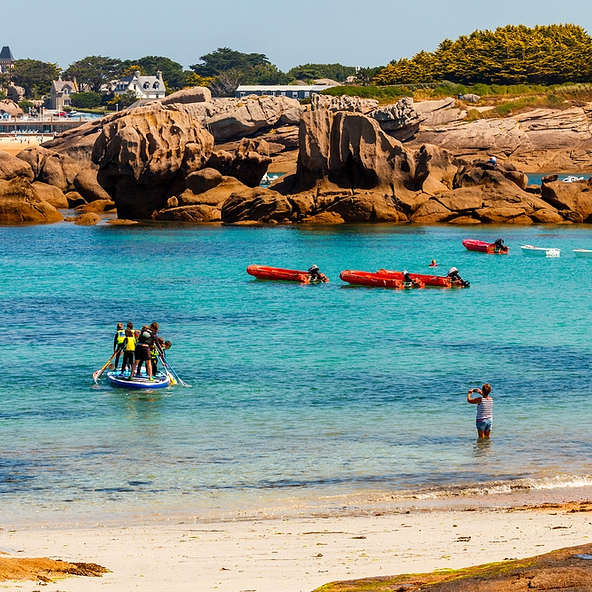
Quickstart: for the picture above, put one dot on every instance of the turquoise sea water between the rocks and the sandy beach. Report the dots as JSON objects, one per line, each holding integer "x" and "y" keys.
{"x": 298, "y": 391}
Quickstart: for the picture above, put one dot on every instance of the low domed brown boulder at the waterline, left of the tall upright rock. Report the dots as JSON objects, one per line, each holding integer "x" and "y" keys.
{"x": 258, "y": 205}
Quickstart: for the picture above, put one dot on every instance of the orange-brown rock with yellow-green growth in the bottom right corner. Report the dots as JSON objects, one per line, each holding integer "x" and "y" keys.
{"x": 564, "y": 570}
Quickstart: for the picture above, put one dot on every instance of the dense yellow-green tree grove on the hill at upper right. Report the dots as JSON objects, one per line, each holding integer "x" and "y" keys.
{"x": 552, "y": 54}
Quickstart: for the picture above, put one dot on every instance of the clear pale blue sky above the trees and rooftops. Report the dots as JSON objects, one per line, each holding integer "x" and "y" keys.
{"x": 289, "y": 32}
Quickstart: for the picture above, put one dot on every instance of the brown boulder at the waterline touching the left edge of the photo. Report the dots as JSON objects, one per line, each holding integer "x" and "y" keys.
{"x": 20, "y": 204}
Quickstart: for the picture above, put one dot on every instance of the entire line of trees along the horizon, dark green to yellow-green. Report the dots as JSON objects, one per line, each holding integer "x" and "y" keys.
{"x": 511, "y": 55}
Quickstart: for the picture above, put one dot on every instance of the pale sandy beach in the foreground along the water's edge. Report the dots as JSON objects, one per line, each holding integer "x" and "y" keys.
{"x": 296, "y": 554}
